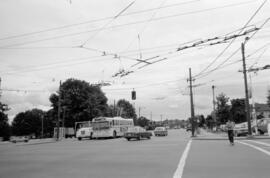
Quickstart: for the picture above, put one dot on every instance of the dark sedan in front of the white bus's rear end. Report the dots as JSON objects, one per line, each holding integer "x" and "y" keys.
{"x": 137, "y": 132}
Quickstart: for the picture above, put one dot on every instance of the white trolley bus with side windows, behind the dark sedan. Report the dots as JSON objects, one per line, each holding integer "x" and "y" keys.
{"x": 104, "y": 127}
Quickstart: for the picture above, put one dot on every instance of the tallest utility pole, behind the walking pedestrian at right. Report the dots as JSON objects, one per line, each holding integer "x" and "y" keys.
{"x": 247, "y": 109}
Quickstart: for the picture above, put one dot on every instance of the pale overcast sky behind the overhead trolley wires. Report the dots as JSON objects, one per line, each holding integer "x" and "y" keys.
{"x": 40, "y": 45}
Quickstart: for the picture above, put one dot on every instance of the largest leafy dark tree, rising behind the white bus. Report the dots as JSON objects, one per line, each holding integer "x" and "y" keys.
{"x": 80, "y": 101}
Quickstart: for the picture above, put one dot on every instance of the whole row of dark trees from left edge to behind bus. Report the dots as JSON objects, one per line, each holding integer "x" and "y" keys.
{"x": 79, "y": 101}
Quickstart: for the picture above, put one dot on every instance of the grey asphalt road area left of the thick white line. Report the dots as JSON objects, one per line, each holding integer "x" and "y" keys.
{"x": 111, "y": 158}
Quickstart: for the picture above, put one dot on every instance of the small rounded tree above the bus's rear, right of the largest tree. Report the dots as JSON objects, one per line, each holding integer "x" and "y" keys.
{"x": 127, "y": 110}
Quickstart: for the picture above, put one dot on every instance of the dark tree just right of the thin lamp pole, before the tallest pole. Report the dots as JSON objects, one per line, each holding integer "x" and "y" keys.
{"x": 223, "y": 109}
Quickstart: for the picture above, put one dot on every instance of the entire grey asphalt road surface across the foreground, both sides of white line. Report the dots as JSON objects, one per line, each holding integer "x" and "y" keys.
{"x": 156, "y": 158}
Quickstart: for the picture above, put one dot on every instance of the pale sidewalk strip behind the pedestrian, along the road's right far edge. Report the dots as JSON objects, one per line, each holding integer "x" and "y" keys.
{"x": 206, "y": 135}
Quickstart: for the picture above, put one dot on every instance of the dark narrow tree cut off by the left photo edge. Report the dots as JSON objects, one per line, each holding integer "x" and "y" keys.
{"x": 4, "y": 126}
